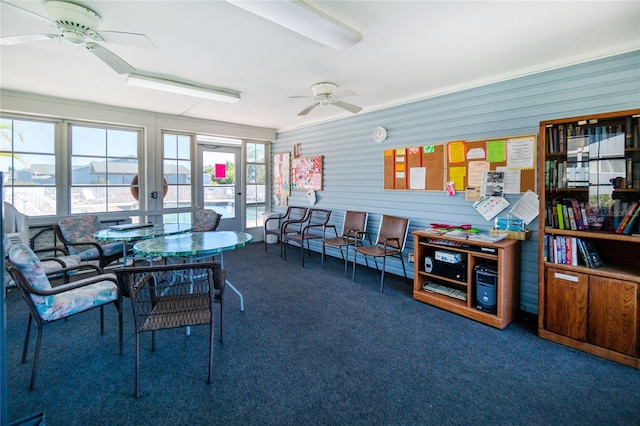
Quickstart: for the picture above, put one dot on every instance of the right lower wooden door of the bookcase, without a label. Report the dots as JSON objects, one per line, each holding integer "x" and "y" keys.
{"x": 613, "y": 314}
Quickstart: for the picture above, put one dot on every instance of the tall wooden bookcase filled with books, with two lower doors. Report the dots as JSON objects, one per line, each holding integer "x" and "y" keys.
{"x": 592, "y": 169}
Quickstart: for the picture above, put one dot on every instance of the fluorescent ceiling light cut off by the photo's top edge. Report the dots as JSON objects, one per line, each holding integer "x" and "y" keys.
{"x": 300, "y": 17}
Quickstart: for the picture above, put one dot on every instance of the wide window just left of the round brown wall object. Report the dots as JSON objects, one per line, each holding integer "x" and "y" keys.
{"x": 104, "y": 161}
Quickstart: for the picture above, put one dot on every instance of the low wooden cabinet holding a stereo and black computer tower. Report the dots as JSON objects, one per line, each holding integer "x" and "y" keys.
{"x": 454, "y": 286}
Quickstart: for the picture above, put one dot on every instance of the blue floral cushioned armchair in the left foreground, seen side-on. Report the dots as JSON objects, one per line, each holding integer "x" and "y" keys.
{"x": 48, "y": 304}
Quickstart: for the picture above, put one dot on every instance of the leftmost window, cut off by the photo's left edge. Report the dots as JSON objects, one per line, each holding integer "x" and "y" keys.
{"x": 27, "y": 158}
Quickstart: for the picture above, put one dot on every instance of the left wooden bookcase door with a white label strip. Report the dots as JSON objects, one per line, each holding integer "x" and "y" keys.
{"x": 566, "y": 303}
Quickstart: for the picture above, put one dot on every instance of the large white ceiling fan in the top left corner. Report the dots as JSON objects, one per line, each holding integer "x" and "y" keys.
{"x": 78, "y": 25}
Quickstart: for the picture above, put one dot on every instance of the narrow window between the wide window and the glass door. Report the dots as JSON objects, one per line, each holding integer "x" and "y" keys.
{"x": 177, "y": 170}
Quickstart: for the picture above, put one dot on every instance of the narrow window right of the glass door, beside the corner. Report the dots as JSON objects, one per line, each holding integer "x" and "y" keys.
{"x": 256, "y": 183}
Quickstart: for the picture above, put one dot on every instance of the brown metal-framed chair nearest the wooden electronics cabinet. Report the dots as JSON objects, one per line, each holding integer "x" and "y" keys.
{"x": 391, "y": 239}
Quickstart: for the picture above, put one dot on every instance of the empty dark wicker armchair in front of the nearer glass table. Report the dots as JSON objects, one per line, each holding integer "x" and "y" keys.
{"x": 171, "y": 296}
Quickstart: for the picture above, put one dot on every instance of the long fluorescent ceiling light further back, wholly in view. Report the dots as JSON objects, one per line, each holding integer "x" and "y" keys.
{"x": 182, "y": 88}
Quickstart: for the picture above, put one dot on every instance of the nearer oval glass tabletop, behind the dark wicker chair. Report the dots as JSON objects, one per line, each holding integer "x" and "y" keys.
{"x": 193, "y": 243}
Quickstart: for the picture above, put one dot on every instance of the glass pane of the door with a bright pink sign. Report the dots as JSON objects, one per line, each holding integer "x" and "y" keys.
{"x": 220, "y": 168}
